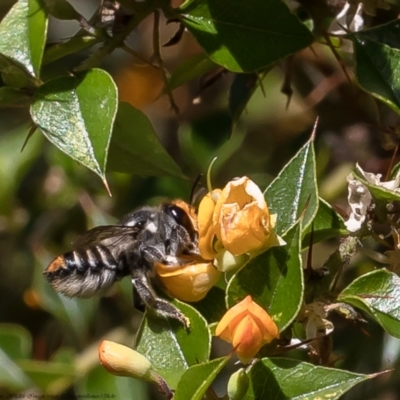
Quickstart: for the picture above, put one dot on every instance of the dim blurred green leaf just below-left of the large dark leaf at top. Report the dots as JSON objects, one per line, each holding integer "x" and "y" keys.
{"x": 193, "y": 67}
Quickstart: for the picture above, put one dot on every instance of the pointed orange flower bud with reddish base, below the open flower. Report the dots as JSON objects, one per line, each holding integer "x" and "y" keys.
{"x": 248, "y": 327}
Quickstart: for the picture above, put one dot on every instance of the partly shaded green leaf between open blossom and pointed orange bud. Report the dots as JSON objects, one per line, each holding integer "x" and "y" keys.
{"x": 274, "y": 279}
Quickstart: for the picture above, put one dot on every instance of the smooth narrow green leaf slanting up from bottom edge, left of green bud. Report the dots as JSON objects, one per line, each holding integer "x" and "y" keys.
{"x": 197, "y": 379}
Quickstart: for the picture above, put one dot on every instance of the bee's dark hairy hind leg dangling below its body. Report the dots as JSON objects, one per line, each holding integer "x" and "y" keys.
{"x": 160, "y": 306}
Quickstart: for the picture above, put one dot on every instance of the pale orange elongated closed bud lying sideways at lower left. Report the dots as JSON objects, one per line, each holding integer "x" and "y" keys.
{"x": 124, "y": 361}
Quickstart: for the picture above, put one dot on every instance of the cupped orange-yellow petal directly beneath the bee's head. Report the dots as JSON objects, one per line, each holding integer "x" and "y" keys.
{"x": 189, "y": 282}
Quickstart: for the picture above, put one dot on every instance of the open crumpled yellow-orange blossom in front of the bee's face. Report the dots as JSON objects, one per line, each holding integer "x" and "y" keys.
{"x": 237, "y": 219}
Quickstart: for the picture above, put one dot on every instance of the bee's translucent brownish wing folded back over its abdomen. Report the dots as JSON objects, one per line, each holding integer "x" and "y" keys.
{"x": 96, "y": 235}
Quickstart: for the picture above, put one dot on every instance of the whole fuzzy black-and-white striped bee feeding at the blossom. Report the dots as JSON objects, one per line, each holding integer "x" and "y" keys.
{"x": 144, "y": 237}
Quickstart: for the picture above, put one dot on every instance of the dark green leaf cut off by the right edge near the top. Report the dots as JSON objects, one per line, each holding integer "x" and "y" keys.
{"x": 377, "y": 56}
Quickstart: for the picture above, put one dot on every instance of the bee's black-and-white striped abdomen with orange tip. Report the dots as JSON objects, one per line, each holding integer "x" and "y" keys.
{"x": 82, "y": 273}
